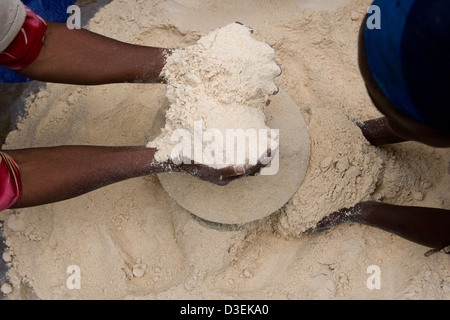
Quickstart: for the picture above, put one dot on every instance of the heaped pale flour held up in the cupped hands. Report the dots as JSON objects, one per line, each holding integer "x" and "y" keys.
{"x": 216, "y": 88}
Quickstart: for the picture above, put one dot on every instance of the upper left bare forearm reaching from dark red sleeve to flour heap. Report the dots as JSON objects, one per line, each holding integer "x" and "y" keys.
{"x": 86, "y": 58}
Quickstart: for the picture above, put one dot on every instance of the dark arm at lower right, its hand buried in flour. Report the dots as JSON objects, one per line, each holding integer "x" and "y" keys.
{"x": 426, "y": 226}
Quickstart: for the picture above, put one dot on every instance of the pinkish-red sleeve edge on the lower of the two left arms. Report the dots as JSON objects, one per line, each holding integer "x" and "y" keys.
{"x": 10, "y": 182}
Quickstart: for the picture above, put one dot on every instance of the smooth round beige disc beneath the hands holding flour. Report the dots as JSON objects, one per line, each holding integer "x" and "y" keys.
{"x": 251, "y": 198}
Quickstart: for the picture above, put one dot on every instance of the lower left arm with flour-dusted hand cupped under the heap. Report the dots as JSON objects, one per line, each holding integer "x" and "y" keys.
{"x": 58, "y": 173}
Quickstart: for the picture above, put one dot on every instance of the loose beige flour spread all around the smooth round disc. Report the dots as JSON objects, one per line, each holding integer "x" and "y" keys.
{"x": 131, "y": 241}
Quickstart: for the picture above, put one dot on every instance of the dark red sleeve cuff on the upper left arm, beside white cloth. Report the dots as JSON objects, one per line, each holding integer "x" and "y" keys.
{"x": 27, "y": 45}
